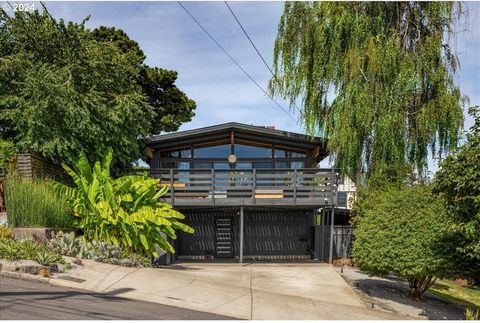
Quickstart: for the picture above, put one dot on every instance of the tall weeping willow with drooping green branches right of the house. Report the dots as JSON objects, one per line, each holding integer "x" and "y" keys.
{"x": 375, "y": 78}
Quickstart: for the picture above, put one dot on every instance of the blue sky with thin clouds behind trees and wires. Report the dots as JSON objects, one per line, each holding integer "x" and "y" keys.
{"x": 171, "y": 39}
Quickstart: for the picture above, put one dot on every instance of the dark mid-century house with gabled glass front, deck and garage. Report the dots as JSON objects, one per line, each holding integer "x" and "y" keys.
{"x": 249, "y": 192}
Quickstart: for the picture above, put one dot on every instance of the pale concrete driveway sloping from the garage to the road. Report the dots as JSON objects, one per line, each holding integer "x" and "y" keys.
{"x": 247, "y": 291}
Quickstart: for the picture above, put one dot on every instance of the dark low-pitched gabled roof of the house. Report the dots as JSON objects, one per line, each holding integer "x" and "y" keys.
{"x": 241, "y": 131}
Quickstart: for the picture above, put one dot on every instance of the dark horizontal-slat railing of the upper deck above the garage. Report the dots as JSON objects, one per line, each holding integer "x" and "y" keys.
{"x": 193, "y": 187}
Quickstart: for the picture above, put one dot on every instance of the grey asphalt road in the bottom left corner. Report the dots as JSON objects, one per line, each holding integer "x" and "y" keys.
{"x": 23, "y": 300}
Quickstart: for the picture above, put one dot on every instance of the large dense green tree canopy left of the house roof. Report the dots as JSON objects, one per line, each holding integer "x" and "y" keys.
{"x": 64, "y": 89}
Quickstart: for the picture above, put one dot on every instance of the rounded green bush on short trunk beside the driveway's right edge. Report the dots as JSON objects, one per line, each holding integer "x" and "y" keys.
{"x": 400, "y": 230}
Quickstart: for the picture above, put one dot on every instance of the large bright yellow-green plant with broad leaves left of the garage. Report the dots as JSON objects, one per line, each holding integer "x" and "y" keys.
{"x": 125, "y": 212}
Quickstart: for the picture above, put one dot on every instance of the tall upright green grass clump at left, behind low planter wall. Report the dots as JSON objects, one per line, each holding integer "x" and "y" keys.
{"x": 35, "y": 204}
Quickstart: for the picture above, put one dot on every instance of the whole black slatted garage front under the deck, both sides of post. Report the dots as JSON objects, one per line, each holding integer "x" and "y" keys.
{"x": 266, "y": 232}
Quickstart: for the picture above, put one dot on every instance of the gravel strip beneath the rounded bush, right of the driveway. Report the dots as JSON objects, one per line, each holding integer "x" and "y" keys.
{"x": 390, "y": 294}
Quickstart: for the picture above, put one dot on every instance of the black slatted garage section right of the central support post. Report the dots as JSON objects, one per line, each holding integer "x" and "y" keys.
{"x": 277, "y": 232}
